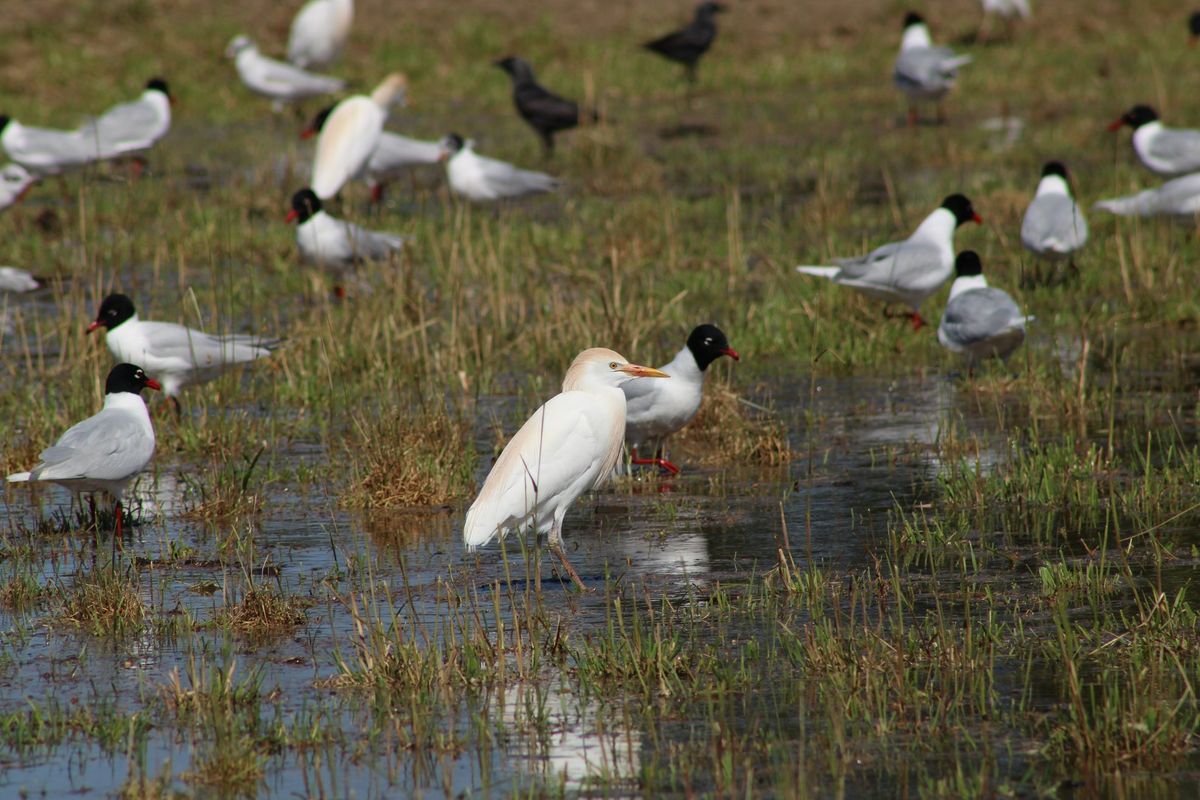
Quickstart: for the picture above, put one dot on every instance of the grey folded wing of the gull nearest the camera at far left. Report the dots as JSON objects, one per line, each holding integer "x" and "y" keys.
{"x": 109, "y": 447}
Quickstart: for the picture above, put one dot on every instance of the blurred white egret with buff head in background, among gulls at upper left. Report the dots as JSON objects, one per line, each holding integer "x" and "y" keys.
{"x": 351, "y": 135}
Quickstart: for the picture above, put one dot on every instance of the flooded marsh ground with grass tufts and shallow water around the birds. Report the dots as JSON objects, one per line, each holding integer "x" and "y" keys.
{"x": 935, "y": 588}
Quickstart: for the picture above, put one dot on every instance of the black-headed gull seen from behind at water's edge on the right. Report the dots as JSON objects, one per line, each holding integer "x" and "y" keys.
{"x": 980, "y": 322}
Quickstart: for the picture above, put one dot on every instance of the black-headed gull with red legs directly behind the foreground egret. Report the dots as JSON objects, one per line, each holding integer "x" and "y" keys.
{"x": 655, "y": 410}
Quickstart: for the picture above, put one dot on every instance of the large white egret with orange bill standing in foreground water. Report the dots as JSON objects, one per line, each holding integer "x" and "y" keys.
{"x": 569, "y": 447}
